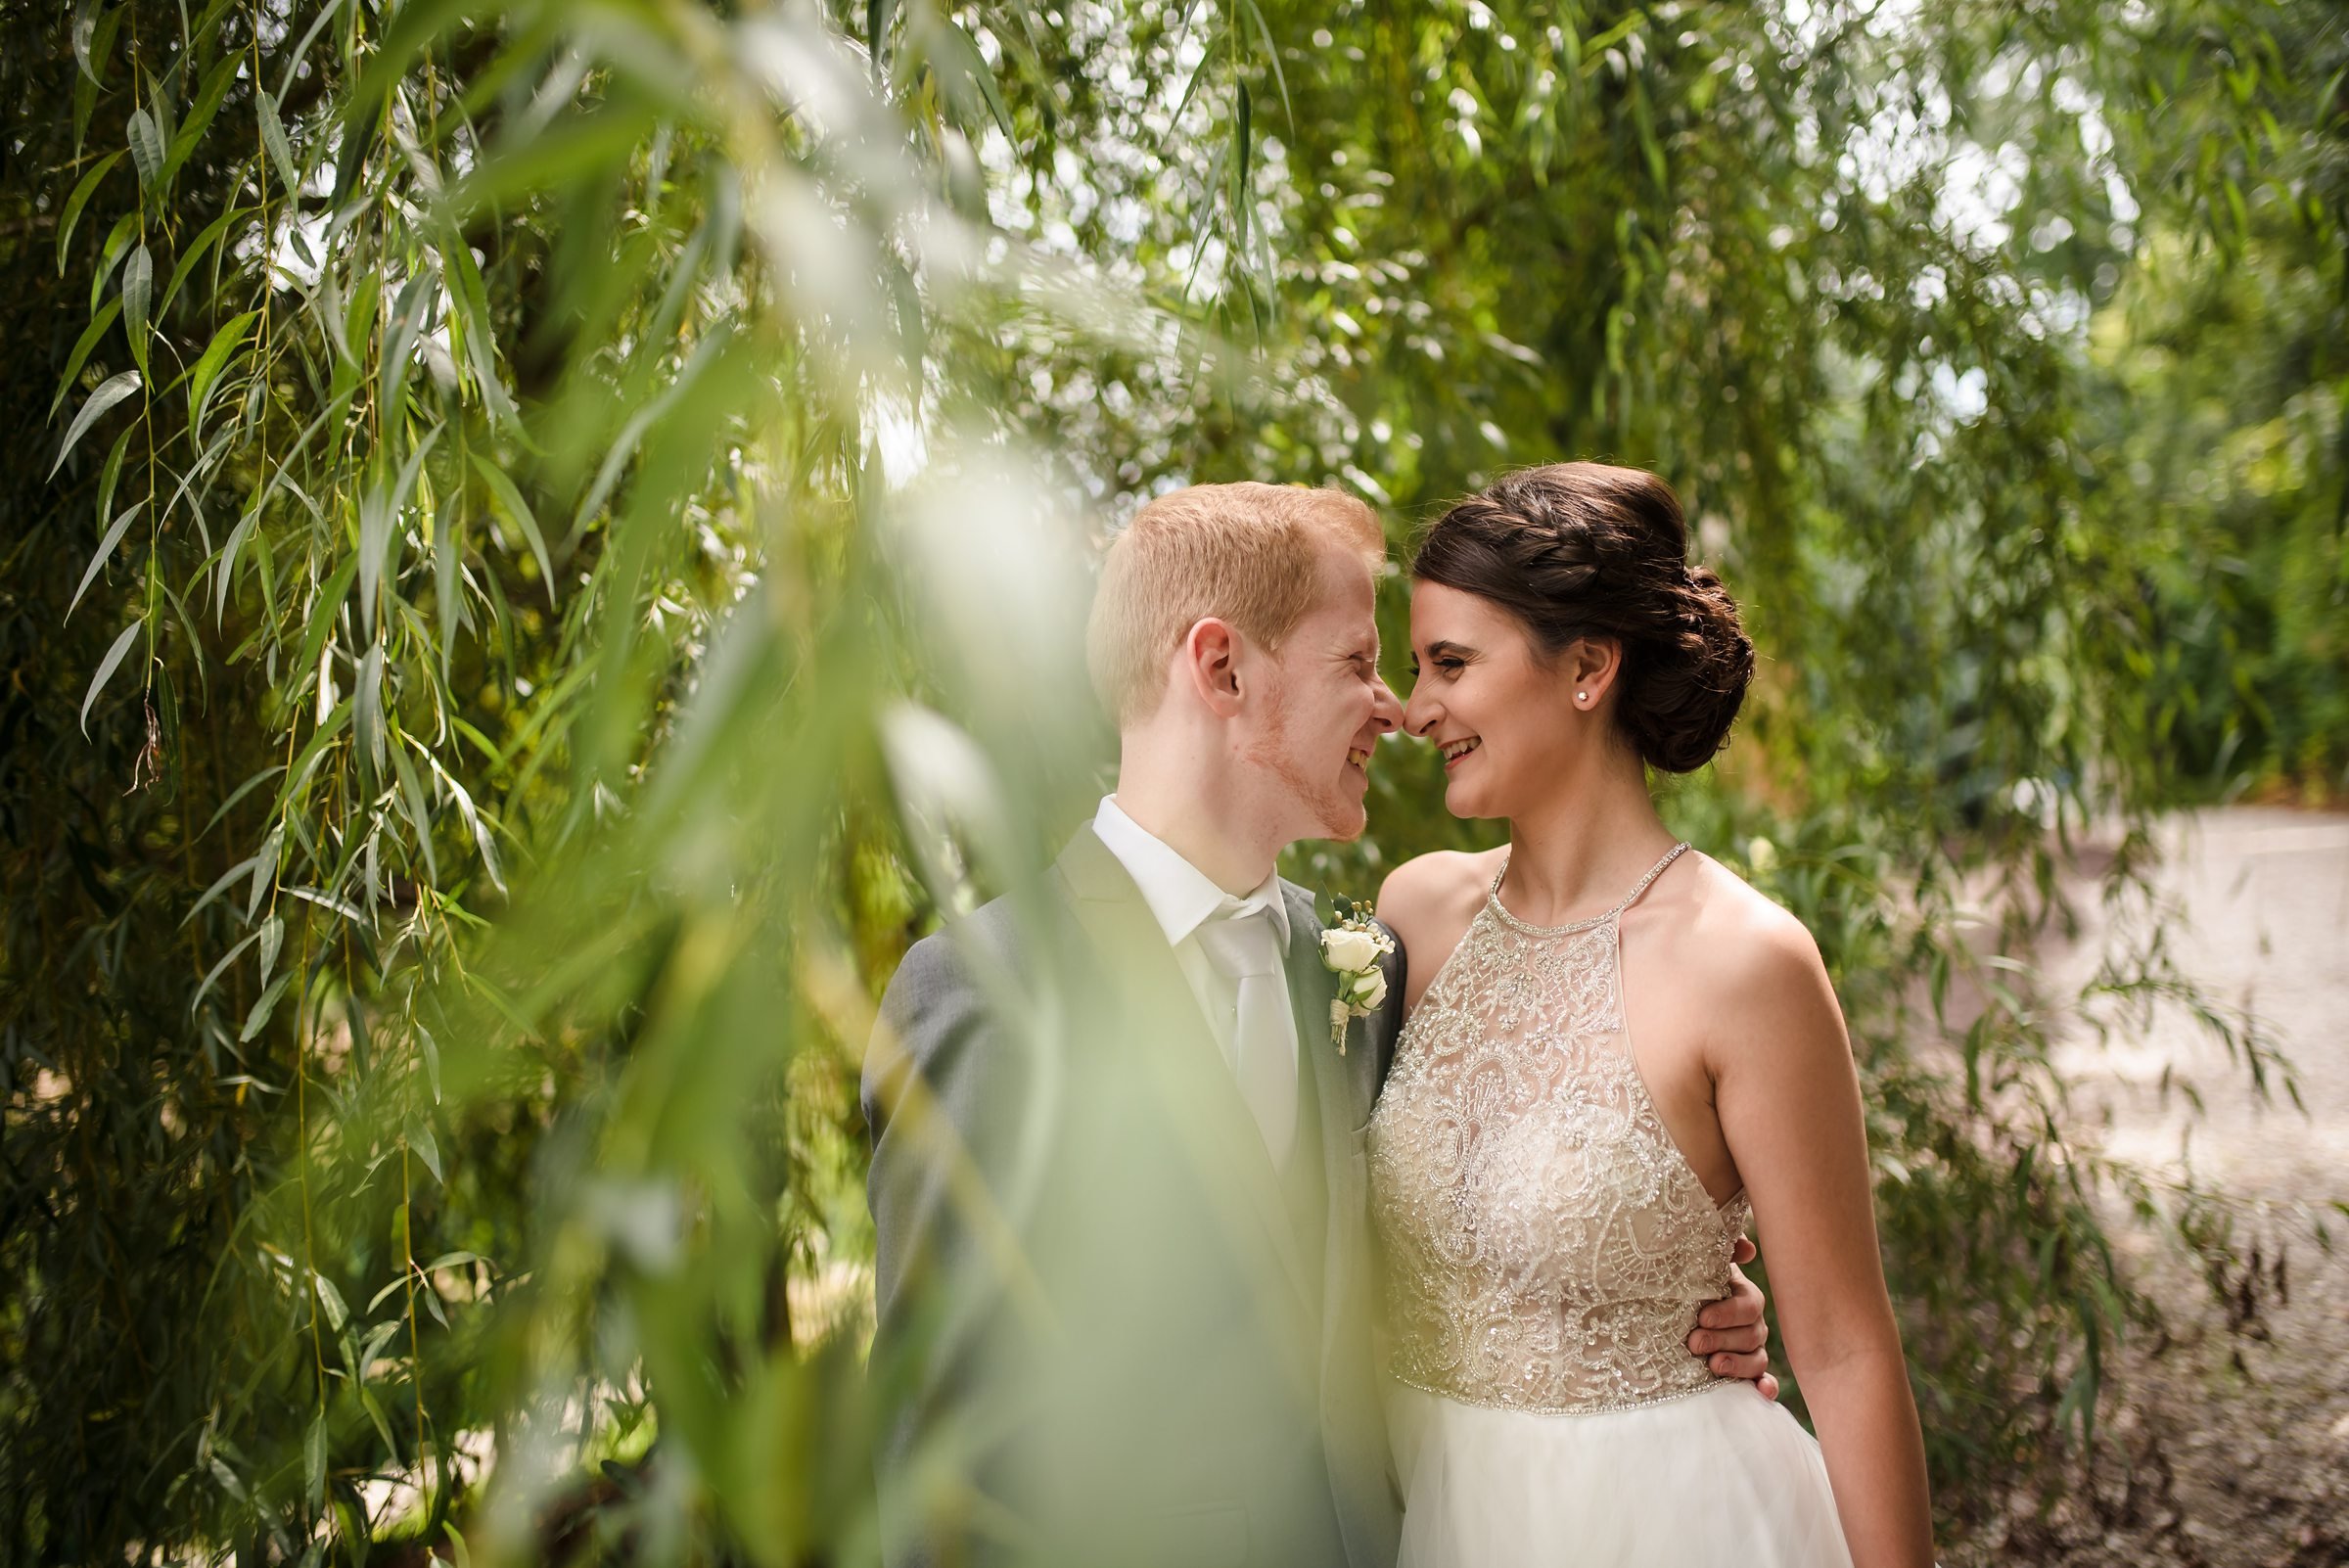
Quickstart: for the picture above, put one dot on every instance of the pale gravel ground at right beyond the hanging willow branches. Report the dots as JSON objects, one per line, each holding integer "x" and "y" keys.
{"x": 2230, "y": 1445}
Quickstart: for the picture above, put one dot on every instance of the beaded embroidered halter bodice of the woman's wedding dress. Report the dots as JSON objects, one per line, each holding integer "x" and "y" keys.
{"x": 1547, "y": 1243}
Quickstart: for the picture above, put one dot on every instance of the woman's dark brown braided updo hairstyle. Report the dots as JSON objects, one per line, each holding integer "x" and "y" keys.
{"x": 1594, "y": 550}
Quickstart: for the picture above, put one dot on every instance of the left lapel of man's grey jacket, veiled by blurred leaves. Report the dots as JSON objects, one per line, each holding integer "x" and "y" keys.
{"x": 1185, "y": 1060}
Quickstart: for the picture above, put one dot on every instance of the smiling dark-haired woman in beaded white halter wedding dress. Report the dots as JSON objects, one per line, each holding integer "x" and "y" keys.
{"x": 1615, "y": 1055}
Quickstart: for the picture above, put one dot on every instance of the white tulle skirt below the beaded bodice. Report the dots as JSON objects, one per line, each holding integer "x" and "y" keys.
{"x": 1718, "y": 1478}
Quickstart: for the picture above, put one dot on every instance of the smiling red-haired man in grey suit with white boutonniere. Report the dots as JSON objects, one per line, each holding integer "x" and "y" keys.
{"x": 1119, "y": 1175}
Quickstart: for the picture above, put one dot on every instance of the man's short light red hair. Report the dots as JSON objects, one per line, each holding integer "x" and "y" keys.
{"x": 1239, "y": 553}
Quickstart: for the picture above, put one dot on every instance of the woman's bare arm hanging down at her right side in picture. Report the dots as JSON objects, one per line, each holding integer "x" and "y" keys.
{"x": 1789, "y": 1102}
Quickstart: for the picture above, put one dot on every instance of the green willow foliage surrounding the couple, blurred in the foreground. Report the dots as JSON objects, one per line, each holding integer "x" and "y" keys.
{"x": 492, "y": 482}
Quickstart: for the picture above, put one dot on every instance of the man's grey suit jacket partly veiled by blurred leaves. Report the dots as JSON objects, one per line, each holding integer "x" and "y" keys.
{"x": 1110, "y": 1332}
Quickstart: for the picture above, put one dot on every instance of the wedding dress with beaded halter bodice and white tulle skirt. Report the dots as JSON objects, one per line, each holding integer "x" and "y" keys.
{"x": 1547, "y": 1252}
